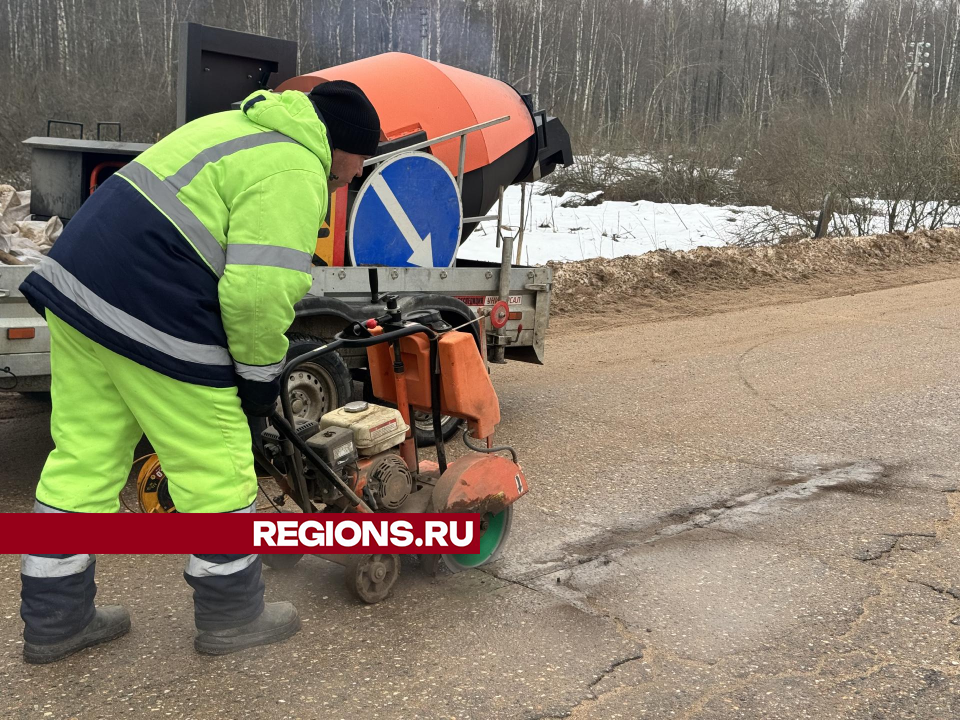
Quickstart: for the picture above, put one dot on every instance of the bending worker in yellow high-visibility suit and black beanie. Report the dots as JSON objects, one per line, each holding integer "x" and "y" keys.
{"x": 167, "y": 297}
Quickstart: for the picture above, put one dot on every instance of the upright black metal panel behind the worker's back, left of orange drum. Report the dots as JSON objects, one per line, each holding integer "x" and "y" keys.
{"x": 219, "y": 67}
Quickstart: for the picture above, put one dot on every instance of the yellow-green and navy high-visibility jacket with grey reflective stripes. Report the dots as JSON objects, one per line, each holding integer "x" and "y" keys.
{"x": 189, "y": 260}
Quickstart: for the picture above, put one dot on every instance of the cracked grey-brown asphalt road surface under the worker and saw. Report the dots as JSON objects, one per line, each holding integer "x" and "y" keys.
{"x": 746, "y": 515}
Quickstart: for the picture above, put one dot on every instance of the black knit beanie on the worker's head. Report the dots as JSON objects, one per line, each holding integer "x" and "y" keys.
{"x": 352, "y": 122}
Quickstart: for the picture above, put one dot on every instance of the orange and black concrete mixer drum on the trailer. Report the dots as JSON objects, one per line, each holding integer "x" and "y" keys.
{"x": 419, "y": 99}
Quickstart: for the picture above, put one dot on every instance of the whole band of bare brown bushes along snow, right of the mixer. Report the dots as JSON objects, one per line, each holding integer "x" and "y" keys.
{"x": 878, "y": 171}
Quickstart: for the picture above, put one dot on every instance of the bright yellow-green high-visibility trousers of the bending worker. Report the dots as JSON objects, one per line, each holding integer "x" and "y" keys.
{"x": 103, "y": 403}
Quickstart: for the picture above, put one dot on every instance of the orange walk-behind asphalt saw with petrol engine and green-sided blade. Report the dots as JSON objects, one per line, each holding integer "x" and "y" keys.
{"x": 363, "y": 457}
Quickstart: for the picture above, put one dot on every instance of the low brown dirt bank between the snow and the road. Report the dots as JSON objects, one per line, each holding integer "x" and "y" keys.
{"x": 662, "y": 274}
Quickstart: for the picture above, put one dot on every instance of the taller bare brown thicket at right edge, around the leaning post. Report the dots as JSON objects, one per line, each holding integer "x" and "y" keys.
{"x": 884, "y": 172}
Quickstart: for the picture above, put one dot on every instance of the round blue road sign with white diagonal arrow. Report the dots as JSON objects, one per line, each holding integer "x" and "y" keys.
{"x": 407, "y": 214}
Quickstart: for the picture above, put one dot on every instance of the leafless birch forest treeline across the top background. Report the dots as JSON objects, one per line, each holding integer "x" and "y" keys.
{"x": 636, "y": 75}
